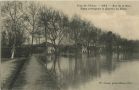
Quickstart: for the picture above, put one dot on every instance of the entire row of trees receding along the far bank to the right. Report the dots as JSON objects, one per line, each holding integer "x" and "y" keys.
{"x": 24, "y": 20}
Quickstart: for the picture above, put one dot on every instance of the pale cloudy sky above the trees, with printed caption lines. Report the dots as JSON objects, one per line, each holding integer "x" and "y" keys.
{"x": 122, "y": 22}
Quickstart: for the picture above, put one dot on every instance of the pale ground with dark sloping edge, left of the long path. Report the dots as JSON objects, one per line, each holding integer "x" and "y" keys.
{"x": 9, "y": 71}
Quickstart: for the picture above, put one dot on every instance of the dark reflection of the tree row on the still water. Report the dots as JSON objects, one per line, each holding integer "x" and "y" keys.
{"x": 72, "y": 71}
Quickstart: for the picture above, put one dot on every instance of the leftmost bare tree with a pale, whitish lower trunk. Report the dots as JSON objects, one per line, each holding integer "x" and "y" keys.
{"x": 12, "y": 13}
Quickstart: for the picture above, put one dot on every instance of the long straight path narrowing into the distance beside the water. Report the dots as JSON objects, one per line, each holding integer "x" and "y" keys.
{"x": 33, "y": 77}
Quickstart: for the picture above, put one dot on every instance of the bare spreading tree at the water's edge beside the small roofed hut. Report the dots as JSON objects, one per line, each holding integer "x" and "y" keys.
{"x": 57, "y": 28}
